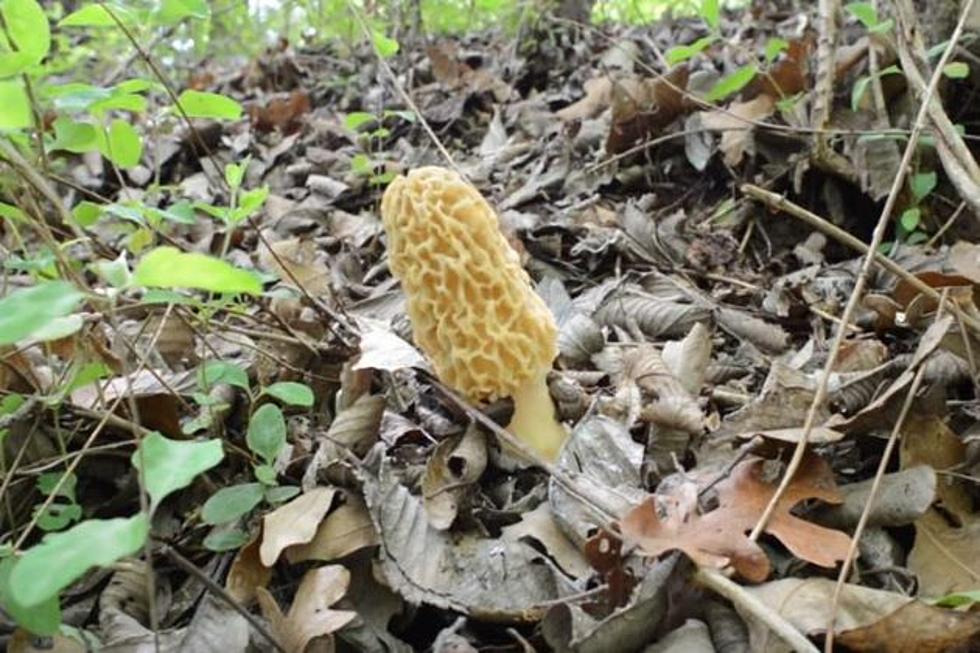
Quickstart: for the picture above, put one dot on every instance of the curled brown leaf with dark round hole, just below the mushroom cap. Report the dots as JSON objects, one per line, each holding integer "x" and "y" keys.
{"x": 454, "y": 466}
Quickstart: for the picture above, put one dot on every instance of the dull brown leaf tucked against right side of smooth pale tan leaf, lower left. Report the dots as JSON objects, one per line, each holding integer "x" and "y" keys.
{"x": 347, "y": 529}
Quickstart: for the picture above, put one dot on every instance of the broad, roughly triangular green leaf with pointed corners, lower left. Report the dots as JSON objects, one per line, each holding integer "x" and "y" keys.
{"x": 169, "y": 465}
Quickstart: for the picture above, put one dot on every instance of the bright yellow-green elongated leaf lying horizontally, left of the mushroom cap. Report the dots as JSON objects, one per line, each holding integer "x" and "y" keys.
{"x": 168, "y": 267}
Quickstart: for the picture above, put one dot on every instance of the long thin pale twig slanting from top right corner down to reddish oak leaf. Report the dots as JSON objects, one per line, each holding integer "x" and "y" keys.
{"x": 820, "y": 395}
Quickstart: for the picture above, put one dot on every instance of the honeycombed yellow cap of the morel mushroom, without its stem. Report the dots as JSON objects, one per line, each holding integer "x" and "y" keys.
{"x": 472, "y": 307}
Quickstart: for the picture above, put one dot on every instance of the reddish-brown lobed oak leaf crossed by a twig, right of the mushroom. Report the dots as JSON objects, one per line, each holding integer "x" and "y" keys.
{"x": 718, "y": 538}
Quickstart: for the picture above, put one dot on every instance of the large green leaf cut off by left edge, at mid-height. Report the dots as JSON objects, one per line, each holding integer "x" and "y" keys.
{"x": 28, "y": 310}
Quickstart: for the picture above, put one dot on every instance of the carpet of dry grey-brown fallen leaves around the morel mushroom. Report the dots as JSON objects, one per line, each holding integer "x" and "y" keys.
{"x": 693, "y": 326}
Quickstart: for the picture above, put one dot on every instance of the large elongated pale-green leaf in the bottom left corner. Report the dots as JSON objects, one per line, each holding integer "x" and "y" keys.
{"x": 62, "y": 558}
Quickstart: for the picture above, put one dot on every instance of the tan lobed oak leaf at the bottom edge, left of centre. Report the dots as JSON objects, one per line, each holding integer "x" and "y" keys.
{"x": 310, "y": 616}
